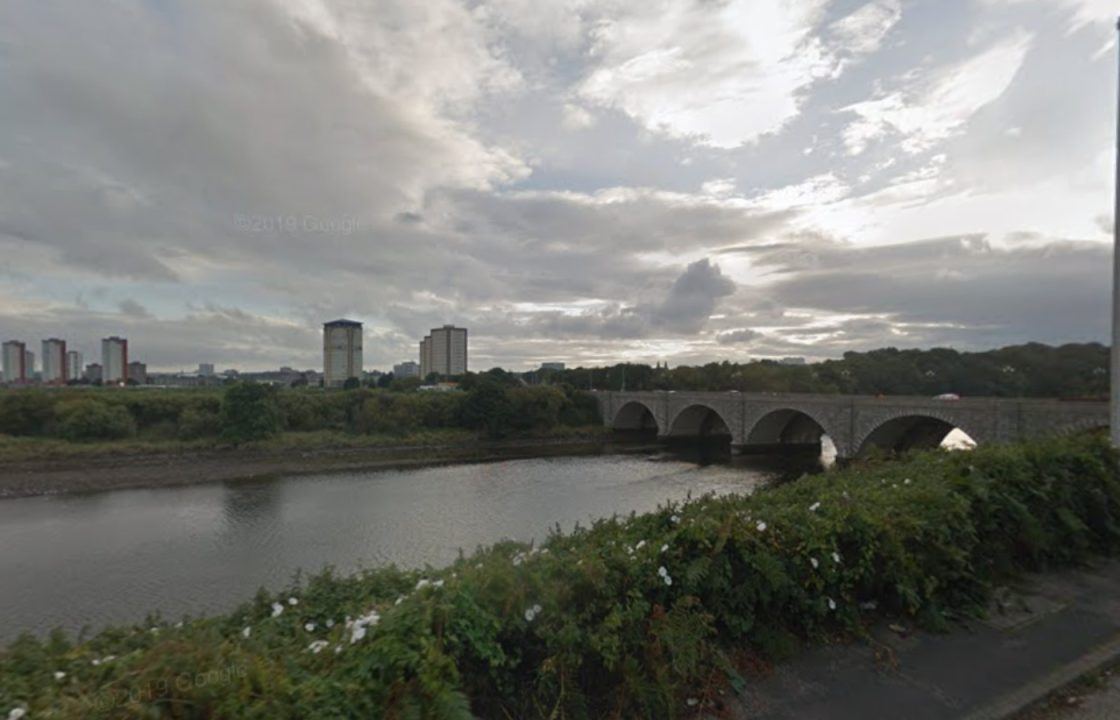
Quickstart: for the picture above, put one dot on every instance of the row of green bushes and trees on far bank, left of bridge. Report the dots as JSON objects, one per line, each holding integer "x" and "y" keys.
{"x": 491, "y": 405}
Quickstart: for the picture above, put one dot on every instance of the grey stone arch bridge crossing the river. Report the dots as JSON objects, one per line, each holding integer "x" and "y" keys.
{"x": 855, "y": 424}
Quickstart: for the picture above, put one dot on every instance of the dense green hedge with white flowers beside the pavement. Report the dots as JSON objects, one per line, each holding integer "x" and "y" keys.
{"x": 642, "y": 616}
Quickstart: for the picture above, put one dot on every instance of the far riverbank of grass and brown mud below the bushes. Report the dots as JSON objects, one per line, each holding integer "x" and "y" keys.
{"x": 51, "y": 467}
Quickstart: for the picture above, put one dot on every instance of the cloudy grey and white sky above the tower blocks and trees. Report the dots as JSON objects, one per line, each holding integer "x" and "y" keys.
{"x": 586, "y": 182}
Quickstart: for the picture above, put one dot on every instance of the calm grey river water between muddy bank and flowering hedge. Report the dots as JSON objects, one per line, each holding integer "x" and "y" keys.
{"x": 114, "y": 557}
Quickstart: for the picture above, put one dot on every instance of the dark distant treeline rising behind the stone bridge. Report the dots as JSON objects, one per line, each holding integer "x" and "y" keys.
{"x": 1022, "y": 371}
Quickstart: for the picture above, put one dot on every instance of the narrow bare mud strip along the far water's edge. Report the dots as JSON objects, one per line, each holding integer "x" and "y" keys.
{"x": 32, "y": 479}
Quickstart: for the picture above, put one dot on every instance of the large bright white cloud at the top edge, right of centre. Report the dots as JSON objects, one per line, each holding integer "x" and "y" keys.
{"x": 722, "y": 73}
